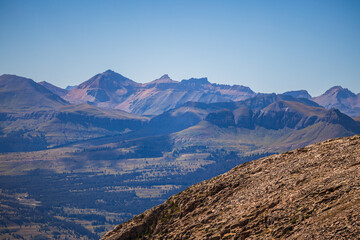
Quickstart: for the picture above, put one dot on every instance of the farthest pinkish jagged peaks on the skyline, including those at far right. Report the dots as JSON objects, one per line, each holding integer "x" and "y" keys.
{"x": 112, "y": 90}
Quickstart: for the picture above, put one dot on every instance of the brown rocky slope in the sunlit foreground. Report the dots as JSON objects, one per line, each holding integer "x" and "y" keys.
{"x": 308, "y": 193}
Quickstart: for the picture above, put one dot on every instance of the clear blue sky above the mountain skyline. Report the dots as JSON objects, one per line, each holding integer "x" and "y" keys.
{"x": 270, "y": 46}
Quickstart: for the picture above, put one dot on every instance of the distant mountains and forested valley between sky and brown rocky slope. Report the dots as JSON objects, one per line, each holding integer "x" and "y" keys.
{"x": 112, "y": 148}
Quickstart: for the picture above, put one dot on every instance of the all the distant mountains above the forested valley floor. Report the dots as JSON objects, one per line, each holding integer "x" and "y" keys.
{"x": 34, "y": 117}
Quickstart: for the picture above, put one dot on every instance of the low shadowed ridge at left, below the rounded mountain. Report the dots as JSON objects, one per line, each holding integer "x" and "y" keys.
{"x": 41, "y": 129}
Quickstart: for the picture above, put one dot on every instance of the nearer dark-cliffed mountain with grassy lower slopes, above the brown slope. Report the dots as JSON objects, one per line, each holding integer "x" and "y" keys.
{"x": 267, "y": 123}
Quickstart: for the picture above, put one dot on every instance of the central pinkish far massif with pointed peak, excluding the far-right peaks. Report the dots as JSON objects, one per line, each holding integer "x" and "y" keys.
{"x": 111, "y": 90}
